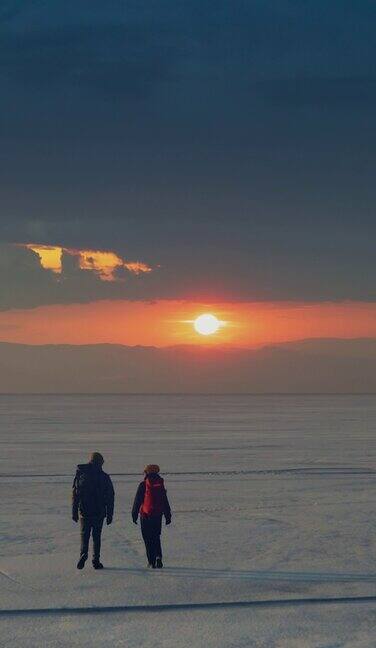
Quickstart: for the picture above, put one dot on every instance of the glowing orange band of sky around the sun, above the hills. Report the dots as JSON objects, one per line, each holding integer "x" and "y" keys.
{"x": 167, "y": 323}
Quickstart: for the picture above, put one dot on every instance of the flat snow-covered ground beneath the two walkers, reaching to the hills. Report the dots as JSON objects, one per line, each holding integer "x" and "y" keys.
{"x": 273, "y": 541}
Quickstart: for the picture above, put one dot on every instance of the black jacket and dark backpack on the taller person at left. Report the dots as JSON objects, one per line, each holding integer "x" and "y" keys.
{"x": 93, "y": 492}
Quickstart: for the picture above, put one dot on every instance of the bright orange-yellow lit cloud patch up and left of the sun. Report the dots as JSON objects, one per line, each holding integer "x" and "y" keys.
{"x": 104, "y": 263}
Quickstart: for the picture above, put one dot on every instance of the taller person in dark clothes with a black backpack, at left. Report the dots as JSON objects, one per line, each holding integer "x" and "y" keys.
{"x": 92, "y": 502}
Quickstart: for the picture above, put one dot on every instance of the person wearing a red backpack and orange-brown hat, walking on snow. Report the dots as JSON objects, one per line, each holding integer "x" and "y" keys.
{"x": 151, "y": 503}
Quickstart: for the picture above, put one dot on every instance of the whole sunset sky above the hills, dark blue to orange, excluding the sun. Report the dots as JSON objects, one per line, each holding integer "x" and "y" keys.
{"x": 163, "y": 159}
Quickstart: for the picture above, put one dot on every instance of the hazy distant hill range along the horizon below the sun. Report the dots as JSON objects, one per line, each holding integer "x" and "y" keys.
{"x": 308, "y": 366}
